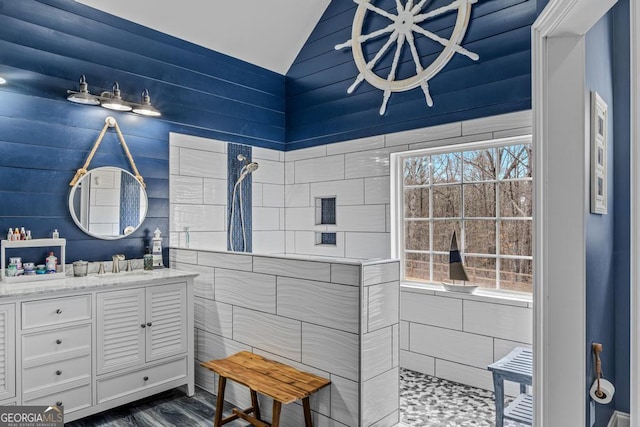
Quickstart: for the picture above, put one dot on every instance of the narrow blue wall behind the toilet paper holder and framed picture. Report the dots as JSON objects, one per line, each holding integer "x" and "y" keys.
{"x": 608, "y": 236}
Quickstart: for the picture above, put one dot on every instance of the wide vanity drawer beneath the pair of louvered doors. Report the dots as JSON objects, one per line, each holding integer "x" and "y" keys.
{"x": 114, "y": 387}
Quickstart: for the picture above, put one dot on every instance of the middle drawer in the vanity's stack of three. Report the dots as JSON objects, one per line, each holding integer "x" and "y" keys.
{"x": 43, "y": 345}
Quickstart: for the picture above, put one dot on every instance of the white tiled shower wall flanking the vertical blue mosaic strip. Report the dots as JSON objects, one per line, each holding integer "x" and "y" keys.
{"x": 198, "y": 195}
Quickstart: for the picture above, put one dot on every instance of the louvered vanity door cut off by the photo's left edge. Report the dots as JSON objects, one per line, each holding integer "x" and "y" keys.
{"x": 7, "y": 351}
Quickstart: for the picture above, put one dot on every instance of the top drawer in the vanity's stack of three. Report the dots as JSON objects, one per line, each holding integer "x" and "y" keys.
{"x": 55, "y": 311}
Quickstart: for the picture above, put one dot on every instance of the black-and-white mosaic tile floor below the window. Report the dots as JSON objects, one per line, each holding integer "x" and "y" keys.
{"x": 428, "y": 401}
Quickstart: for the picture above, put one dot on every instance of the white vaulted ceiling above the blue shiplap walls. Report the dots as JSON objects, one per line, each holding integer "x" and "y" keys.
{"x": 265, "y": 33}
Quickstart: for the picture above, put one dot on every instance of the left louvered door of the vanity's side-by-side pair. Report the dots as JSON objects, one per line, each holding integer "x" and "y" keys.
{"x": 121, "y": 329}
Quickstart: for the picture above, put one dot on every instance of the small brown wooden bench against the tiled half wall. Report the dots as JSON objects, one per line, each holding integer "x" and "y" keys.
{"x": 280, "y": 382}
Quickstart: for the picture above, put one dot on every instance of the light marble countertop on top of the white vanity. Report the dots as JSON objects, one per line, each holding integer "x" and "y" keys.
{"x": 89, "y": 282}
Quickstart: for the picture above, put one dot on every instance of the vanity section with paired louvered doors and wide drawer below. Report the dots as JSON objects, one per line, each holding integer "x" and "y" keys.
{"x": 142, "y": 336}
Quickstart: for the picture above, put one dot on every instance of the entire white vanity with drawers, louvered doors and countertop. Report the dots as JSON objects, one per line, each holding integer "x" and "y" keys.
{"x": 90, "y": 344}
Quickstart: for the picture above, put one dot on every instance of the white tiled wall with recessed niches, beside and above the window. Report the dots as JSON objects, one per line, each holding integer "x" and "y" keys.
{"x": 357, "y": 173}
